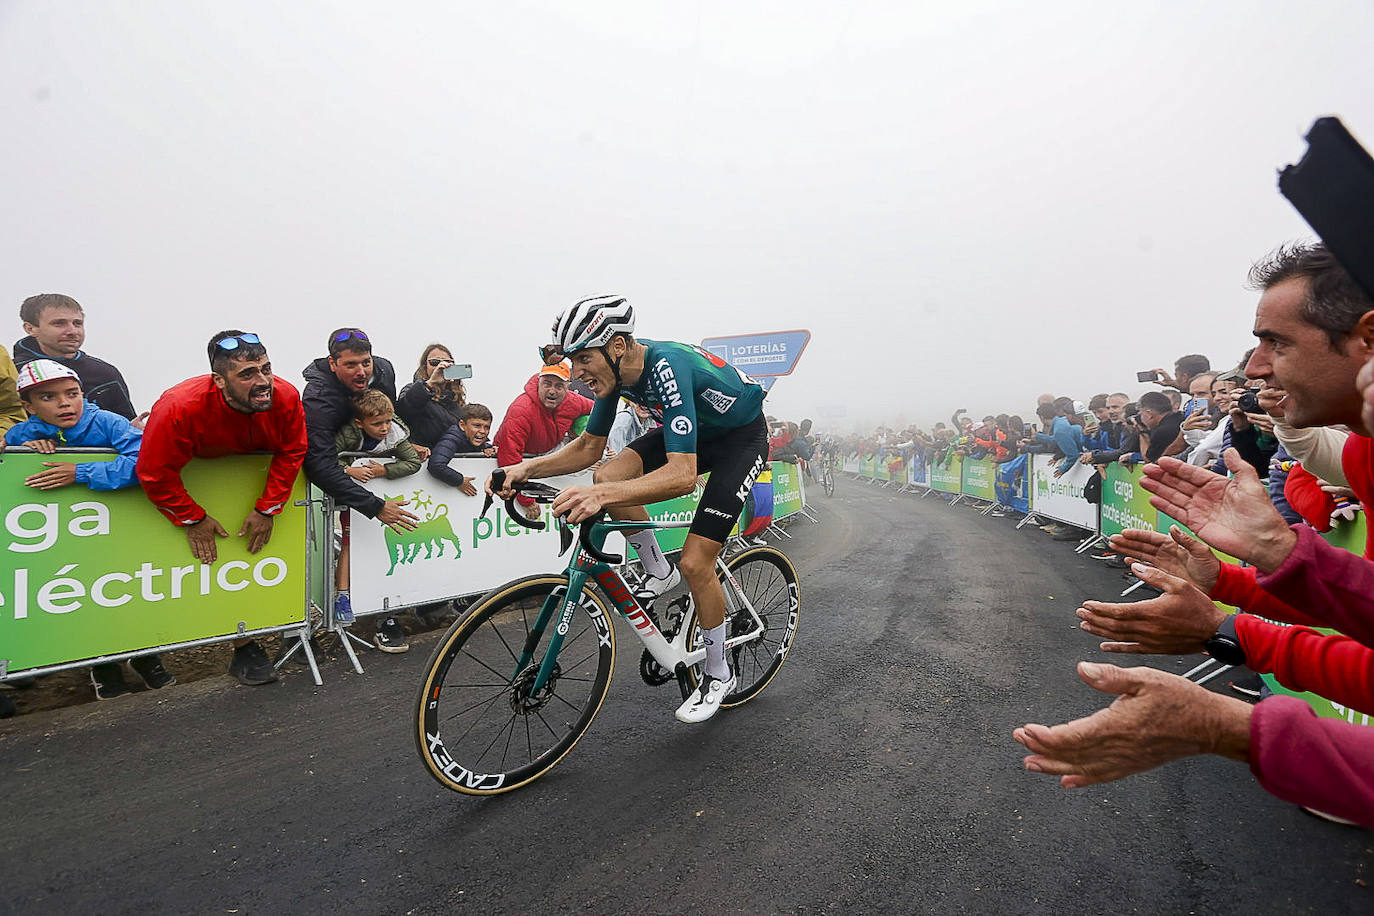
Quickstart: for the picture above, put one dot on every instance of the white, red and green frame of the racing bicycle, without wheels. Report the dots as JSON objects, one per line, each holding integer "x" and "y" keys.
{"x": 583, "y": 571}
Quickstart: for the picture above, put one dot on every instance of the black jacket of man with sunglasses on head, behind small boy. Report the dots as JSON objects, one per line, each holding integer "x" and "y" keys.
{"x": 329, "y": 407}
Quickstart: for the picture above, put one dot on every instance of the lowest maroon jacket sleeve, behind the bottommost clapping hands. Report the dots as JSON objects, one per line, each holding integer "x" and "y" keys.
{"x": 1327, "y": 764}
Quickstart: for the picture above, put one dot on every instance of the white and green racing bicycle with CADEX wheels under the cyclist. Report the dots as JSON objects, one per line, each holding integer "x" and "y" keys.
{"x": 520, "y": 678}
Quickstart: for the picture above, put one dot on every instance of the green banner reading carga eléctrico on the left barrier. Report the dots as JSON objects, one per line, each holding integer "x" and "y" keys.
{"x": 94, "y": 573}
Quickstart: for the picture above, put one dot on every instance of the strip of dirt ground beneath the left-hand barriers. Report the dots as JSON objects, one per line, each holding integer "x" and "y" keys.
{"x": 74, "y": 687}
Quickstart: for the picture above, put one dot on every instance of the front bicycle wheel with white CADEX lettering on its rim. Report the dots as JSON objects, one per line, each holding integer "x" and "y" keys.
{"x": 473, "y": 708}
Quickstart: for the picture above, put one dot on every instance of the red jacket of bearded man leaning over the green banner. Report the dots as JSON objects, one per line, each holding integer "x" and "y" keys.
{"x": 193, "y": 421}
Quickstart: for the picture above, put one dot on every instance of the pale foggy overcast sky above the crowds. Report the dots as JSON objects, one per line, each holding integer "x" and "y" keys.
{"x": 967, "y": 204}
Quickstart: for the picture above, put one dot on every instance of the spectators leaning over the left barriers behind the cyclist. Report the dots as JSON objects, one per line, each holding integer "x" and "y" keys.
{"x": 347, "y": 426}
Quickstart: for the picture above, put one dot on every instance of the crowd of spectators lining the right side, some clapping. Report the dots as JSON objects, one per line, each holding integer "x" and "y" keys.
{"x": 1258, "y": 459}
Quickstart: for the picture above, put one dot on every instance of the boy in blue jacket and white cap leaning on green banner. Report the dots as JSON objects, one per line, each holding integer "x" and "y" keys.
{"x": 60, "y": 417}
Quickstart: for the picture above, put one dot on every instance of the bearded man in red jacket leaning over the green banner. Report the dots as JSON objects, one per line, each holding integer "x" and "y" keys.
{"x": 236, "y": 410}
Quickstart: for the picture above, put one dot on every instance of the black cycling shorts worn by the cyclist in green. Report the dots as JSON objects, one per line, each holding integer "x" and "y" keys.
{"x": 734, "y": 461}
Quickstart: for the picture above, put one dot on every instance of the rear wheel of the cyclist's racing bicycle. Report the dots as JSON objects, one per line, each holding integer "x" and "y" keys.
{"x": 770, "y": 582}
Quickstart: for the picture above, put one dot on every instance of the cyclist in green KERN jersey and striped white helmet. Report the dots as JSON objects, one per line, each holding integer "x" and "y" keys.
{"x": 711, "y": 421}
